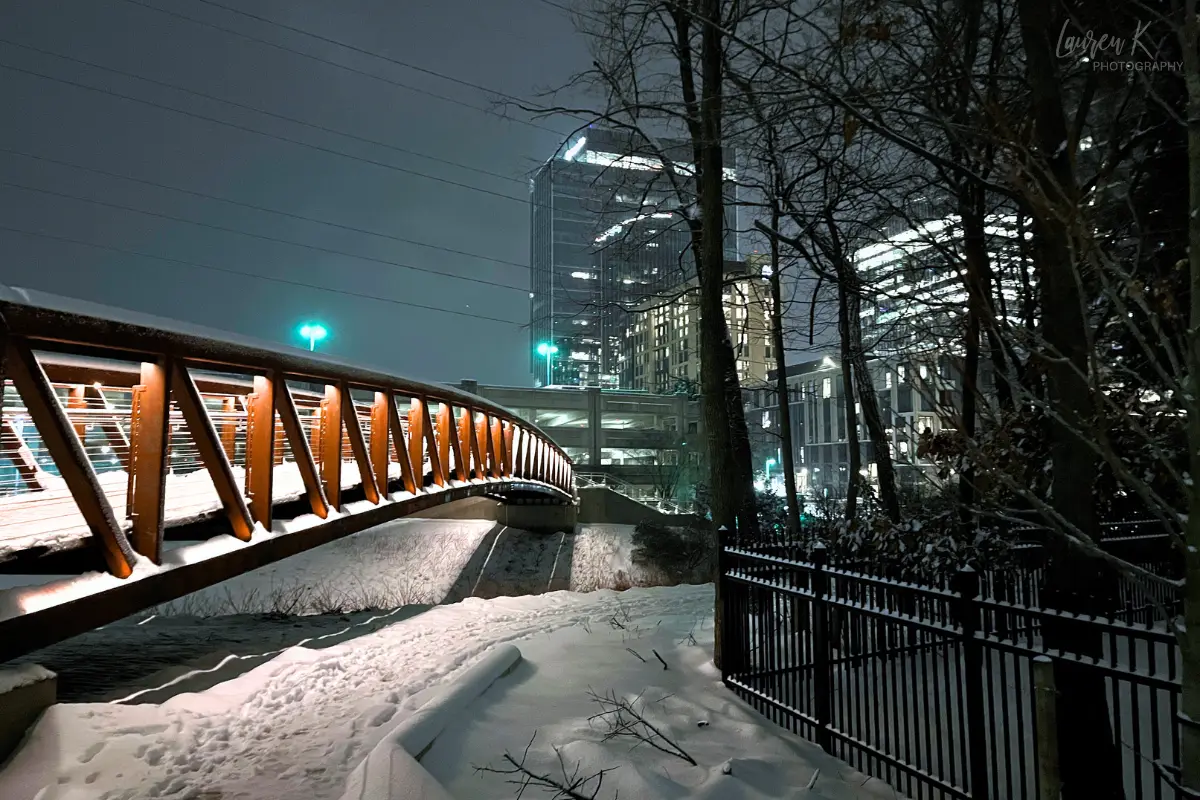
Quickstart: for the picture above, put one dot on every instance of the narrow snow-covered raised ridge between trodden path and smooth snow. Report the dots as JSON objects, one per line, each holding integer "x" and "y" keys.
{"x": 391, "y": 772}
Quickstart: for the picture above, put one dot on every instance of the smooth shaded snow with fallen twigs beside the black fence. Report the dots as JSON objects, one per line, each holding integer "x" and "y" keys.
{"x": 550, "y": 703}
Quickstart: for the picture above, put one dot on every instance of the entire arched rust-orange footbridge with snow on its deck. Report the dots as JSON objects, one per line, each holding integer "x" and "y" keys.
{"x": 123, "y": 436}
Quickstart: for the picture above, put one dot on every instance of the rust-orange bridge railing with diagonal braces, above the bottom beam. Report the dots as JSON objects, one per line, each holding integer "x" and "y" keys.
{"x": 115, "y": 426}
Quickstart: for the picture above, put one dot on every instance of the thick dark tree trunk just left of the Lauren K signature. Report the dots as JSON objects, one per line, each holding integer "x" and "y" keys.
{"x": 1089, "y": 757}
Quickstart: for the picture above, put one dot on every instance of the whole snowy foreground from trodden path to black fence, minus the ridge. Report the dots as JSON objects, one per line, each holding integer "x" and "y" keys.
{"x": 298, "y": 725}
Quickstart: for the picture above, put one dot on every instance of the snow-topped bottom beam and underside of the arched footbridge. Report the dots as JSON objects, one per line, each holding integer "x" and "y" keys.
{"x": 37, "y": 617}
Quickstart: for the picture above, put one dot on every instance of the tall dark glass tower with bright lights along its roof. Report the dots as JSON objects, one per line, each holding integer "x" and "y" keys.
{"x": 607, "y": 233}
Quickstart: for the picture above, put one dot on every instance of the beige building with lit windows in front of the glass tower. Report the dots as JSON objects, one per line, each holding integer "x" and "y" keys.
{"x": 663, "y": 341}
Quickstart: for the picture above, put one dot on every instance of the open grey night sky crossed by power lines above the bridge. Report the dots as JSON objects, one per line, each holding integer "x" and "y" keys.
{"x": 512, "y": 46}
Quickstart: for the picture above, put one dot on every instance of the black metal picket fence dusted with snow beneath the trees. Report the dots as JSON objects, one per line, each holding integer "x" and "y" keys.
{"x": 932, "y": 689}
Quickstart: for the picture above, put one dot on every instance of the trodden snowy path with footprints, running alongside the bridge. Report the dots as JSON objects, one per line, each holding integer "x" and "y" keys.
{"x": 298, "y": 725}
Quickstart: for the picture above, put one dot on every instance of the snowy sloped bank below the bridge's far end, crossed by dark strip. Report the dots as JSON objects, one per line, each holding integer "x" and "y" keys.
{"x": 428, "y": 562}
